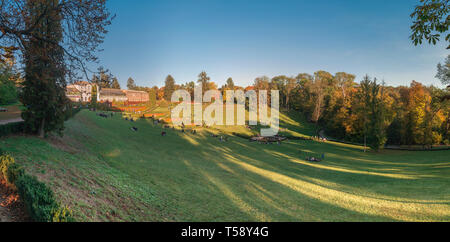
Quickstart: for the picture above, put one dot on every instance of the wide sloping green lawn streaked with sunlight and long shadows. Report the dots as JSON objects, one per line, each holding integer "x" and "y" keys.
{"x": 106, "y": 172}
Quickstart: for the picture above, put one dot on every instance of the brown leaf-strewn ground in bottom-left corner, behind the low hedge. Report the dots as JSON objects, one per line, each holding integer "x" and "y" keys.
{"x": 11, "y": 208}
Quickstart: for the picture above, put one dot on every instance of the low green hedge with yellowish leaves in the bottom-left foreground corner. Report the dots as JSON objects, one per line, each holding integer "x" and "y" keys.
{"x": 38, "y": 198}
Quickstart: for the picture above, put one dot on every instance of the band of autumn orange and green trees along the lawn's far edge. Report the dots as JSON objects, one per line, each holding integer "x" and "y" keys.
{"x": 366, "y": 112}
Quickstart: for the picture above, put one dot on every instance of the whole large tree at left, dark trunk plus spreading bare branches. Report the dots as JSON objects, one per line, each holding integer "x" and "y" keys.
{"x": 50, "y": 52}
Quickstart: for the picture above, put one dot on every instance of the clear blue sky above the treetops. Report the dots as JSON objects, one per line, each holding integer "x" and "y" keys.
{"x": 244, "y": 39}
